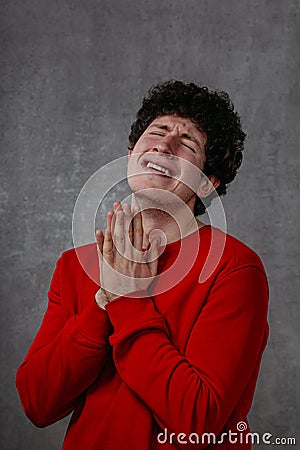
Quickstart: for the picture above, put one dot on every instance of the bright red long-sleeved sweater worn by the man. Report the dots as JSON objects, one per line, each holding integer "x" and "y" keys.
{"x": 182, "y": 361}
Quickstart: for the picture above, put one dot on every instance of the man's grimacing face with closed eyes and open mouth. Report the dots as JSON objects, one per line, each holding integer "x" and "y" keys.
{"x": 165, "y": 154}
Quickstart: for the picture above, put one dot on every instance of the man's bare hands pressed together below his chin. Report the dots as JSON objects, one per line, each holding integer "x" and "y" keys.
{"x": 124, "y": 266}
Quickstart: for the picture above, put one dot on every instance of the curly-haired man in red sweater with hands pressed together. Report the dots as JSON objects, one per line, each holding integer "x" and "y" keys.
{"x": 155, "y": 358}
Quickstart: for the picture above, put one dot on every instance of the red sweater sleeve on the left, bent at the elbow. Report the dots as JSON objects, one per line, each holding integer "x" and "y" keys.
{"x": 65, "y": 358}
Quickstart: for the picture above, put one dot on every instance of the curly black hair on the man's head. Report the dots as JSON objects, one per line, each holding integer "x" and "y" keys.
{"x": 213, "y": 114}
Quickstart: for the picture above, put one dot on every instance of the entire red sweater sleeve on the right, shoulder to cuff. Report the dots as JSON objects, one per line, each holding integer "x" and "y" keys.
{"x": 195, "y": 392}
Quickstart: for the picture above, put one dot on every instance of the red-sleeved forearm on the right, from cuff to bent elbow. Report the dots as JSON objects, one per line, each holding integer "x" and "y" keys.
{"x": 153, "y": 368}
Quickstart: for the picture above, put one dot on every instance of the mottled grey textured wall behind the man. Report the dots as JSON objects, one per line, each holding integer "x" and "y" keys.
{"x": 72, "y": 76}
